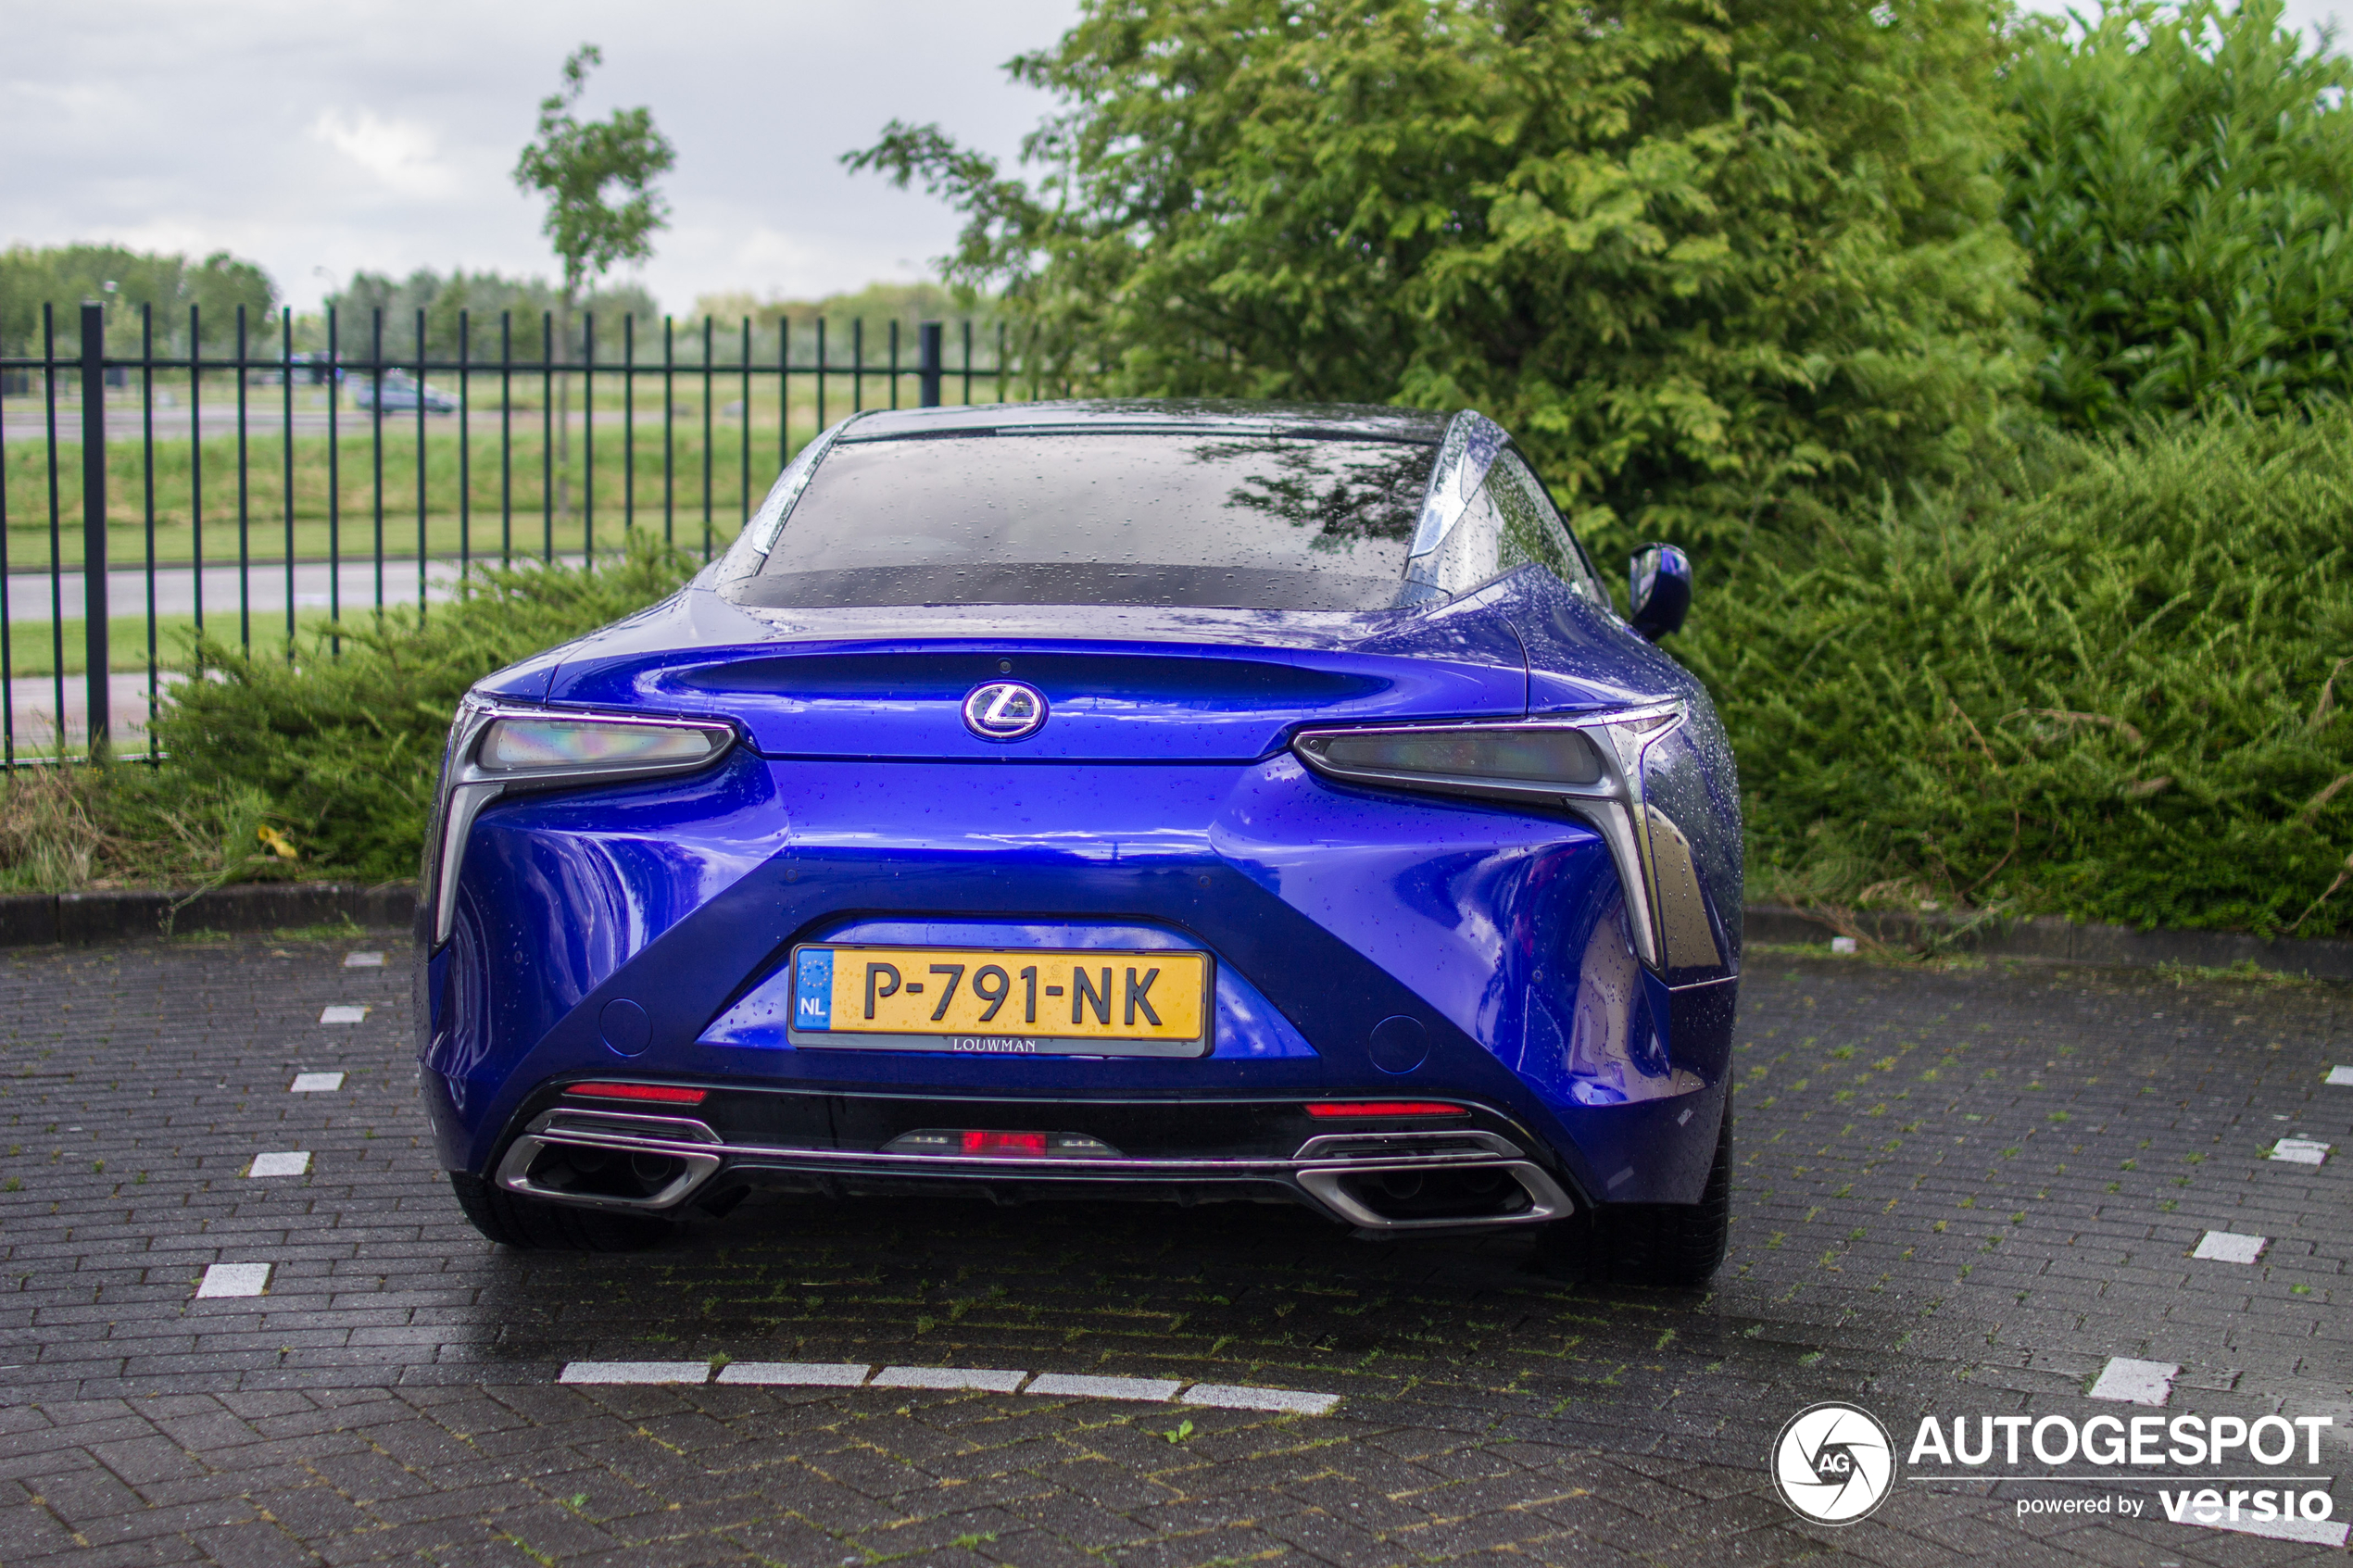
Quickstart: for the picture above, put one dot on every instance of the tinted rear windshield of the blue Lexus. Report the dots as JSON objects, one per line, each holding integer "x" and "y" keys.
{"x": 1241, "y": 521}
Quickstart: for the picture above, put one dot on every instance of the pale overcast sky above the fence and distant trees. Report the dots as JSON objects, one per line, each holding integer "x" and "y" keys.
{"x": 331, "y": 135}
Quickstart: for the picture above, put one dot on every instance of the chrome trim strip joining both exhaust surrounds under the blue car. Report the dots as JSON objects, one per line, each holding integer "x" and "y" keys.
{"x": 1317, "y": 1172}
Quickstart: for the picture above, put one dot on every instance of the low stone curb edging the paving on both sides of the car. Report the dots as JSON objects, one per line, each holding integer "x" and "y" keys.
{"x": 29, "y": 920}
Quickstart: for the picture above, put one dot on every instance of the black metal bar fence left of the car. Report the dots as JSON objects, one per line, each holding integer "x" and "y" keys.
{"x": 460, "y": 460}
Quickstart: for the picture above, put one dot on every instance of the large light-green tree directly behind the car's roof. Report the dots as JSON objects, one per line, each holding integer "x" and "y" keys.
{"x": 1712, "y": 260}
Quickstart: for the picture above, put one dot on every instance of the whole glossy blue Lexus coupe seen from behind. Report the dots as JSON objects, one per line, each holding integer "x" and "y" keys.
{"x": 1107, "y": 800}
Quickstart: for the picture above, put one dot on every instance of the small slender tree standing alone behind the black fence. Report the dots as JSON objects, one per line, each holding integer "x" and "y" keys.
{"x": 575, "y": 163}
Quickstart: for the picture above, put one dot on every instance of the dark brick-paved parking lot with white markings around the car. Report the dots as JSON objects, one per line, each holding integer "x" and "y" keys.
{"x": 1961, "y": 1193}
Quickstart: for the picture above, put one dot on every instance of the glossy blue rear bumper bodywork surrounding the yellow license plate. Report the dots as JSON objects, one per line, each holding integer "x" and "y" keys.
{"x": 622, "y": 930}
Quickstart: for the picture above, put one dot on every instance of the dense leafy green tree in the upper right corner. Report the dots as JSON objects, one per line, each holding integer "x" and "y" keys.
{"x": 2185, "y": 189}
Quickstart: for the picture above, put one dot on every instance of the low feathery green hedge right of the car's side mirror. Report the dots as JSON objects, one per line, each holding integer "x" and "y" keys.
{"x": 2112, "y": 685}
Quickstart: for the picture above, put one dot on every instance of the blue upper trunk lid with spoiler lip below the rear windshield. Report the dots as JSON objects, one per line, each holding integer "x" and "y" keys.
{"x": 1465, "y": 659}
